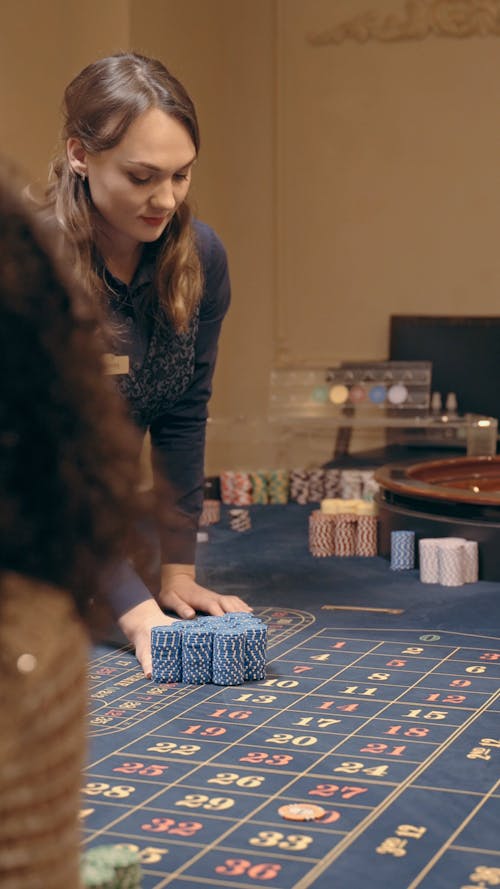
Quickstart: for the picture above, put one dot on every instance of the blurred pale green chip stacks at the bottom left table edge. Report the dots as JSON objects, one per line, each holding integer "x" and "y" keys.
{"x": 110, "y": 867}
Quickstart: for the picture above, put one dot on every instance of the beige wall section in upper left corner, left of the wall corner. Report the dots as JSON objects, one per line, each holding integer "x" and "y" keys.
{"x": 43, "y": 44}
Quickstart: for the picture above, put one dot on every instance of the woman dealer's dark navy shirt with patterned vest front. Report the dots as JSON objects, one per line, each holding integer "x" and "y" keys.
{"x": 170, "y": 382}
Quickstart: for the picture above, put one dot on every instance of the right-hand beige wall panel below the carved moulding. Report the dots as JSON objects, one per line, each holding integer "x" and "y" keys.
{"x": 390, "y": 152}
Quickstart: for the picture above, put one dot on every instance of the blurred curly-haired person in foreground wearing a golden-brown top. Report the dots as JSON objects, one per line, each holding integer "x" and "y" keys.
{"x": 68, "y": 461}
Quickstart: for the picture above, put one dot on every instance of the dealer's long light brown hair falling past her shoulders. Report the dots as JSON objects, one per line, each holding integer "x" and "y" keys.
{"x": 99, "y": 106}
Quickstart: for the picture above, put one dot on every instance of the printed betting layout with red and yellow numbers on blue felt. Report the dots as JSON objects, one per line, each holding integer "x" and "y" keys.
{"x": 396, "y": 737}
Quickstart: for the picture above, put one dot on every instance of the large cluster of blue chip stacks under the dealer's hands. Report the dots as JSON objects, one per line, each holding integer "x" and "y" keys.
{"x": 225, "y": 650}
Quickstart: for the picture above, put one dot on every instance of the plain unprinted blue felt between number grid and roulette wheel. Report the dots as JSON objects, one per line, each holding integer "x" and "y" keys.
{"x": 271, "y": 565}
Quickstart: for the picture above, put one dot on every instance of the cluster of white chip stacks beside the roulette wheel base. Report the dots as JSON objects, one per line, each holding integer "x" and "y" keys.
{"x": 450, "y": 561}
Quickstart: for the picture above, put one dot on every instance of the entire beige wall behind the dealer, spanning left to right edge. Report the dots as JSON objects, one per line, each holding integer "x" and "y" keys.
{"x": 349, "y": 181}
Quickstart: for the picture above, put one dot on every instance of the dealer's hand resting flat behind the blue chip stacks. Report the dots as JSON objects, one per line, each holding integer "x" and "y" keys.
{"x": 180, "y": 593}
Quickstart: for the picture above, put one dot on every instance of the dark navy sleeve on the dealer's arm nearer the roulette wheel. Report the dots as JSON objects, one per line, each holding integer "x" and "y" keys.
{"x": 178, "y": 436}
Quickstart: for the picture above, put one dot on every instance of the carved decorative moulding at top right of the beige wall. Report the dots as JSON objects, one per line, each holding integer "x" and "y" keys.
{"x": 420, "y": 19}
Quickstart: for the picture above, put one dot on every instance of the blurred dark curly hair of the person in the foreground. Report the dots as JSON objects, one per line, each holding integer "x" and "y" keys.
{"x": 68, "y": 455}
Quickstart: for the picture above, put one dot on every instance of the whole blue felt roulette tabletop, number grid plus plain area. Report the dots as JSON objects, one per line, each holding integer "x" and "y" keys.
{"x": 380, "y": 704}
